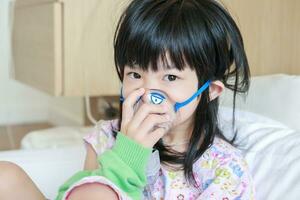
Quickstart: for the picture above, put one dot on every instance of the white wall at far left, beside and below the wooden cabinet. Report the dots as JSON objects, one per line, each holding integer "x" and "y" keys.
{"x": 21, "y": 104}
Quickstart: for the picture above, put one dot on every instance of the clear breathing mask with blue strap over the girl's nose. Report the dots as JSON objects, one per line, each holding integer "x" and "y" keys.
{"x": 158, "y": 97}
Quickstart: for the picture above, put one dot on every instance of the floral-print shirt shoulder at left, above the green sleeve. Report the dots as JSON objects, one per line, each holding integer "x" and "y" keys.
{"x": 102, "y": 136}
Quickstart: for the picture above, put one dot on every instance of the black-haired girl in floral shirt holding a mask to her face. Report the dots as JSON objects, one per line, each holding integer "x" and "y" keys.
{"x": 174, "y": 58}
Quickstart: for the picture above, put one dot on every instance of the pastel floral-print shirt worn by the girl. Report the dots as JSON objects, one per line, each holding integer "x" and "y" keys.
{"x": 221, "y": 173}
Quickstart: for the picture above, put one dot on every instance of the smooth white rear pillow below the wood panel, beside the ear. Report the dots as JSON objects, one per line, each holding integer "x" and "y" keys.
{"x": 274, "y": 96}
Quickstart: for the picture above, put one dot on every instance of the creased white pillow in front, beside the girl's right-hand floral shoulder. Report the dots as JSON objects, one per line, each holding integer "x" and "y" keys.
{"x": 272, "y": 151}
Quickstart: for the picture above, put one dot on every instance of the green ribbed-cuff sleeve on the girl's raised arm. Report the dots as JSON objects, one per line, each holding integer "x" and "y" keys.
{"x": 124, "y": 165}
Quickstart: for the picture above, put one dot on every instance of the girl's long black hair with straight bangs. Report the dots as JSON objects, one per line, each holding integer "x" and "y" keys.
{"x": 200, "y": 33}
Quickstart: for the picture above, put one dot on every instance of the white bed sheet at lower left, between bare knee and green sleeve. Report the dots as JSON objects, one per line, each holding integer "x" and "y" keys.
{"x": 48, "y": 168}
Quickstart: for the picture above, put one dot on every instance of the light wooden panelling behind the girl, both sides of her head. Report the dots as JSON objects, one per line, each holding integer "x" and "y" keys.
{"x": 71, "y": 52}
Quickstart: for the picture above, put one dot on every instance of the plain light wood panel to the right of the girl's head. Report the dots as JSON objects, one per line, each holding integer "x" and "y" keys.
{"x": 271, "y": 32}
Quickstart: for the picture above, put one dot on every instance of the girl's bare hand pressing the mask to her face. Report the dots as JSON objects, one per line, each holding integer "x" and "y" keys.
{"x": 139, "y": 125}
